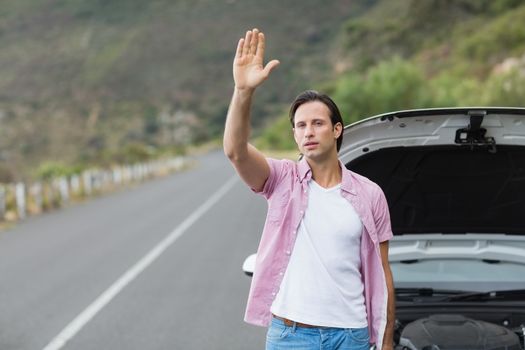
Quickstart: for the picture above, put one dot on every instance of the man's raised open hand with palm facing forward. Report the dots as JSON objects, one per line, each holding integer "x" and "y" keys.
{"x": 248, "y": 69}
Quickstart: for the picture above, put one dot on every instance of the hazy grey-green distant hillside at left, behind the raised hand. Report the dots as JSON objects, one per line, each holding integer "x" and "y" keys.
{"x": 107, "y": 81}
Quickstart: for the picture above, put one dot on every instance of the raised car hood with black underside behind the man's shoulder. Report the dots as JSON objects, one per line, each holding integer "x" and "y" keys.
{"x": 454, "y": 170}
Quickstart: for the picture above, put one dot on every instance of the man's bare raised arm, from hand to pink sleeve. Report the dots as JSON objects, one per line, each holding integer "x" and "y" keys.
{"x": 248, "y": 74}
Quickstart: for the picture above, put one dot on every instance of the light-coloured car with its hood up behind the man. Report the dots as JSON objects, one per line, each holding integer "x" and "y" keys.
{"x": 454, "y": 179}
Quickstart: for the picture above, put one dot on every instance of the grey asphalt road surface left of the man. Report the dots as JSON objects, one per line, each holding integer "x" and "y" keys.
{"x": 52, "y": 267}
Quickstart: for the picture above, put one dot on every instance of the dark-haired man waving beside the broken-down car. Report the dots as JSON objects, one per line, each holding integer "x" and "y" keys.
{"x": 322, "y": 278}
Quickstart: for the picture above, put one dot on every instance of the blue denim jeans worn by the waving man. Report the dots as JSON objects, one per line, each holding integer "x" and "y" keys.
{"x": 281, "y": 337}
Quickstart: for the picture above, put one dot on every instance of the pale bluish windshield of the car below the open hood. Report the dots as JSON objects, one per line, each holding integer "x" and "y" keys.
{"x": 459, "y": 274}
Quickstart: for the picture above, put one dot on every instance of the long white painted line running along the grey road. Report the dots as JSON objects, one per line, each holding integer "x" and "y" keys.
{"x": 85, "y": 316}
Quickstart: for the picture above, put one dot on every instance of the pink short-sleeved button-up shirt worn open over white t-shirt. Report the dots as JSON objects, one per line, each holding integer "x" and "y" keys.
{"x": 286, "y": 190}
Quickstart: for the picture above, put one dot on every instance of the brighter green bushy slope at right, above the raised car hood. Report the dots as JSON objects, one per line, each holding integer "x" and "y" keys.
{"x": 402, "y": 54}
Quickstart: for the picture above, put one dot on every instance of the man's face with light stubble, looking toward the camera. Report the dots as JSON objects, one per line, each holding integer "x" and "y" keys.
{"x": 313, "y": 130}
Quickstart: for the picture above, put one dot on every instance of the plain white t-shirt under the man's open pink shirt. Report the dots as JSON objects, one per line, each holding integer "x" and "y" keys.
{"x": 322, "y": 284}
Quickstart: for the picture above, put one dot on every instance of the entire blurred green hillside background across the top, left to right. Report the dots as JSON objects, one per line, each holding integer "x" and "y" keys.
{"x": 104, "y": 82}
